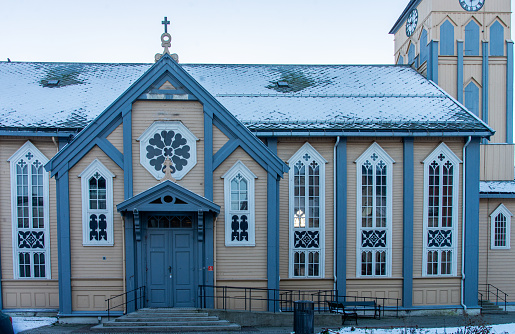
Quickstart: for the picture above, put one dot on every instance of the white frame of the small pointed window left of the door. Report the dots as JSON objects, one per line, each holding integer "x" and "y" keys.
{"x": 97, "y": 167}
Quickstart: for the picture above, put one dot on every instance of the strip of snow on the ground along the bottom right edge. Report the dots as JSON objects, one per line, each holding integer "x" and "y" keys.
{"x": 494, "y": 329}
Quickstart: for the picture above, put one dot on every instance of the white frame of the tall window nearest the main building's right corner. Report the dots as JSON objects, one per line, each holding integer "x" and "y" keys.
{"x": 452, "y": 158}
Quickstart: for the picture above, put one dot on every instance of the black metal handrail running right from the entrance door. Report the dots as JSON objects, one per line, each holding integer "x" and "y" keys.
{"x": 282, "y": 300}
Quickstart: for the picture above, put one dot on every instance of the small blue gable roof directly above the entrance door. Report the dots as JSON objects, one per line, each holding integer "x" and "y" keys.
{"x": 181, "y": 199}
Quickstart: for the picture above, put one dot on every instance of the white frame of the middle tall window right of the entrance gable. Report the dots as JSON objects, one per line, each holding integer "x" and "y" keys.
{"x": 375, "y": 151}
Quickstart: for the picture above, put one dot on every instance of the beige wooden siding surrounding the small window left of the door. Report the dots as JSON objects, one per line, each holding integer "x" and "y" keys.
{"x": 88, "y": 264}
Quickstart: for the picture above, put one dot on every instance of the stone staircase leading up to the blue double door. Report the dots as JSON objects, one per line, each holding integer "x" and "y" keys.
{"x": 167, "y": 320}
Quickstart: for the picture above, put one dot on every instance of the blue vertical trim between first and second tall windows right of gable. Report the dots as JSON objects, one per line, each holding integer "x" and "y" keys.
{"x": 341, "y": 217}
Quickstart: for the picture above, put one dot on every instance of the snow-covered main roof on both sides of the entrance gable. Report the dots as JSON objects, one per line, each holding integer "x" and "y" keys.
{"x": 316, "y": 97}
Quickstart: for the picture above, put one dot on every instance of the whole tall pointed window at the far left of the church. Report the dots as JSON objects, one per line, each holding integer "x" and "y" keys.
{"x": 30, "y": 213}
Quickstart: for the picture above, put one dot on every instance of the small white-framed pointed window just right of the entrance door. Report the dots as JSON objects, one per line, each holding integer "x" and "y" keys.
{"x": 239, "y": 206}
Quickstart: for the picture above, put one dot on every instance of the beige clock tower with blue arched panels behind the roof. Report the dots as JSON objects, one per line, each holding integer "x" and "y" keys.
{"x": 464, "y": 46}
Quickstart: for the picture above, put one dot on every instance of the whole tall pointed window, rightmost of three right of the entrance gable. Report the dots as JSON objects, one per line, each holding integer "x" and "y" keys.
{"x": 441, "y": 189}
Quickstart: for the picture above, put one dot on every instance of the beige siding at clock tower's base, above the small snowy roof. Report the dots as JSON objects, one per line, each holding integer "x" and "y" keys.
{"x": 497, "y": 162}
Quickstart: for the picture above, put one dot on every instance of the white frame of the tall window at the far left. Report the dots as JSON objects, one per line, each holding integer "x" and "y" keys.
{"x": 23, "y": 153}
